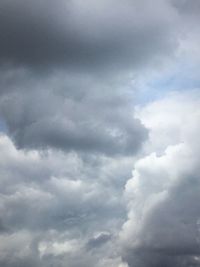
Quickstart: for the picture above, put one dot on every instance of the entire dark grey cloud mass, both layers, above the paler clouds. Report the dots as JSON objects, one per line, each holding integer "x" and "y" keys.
{"x": 85, "y": 104}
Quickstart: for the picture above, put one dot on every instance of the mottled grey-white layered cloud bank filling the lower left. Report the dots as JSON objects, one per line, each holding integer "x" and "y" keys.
{"x": 52, "y": 207}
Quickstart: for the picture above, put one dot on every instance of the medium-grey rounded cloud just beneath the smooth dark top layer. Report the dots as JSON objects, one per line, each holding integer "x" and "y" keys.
{"x": 69, "y": 113}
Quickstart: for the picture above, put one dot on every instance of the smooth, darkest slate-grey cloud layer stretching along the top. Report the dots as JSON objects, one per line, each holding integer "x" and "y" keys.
{"x": 84, "y": 35}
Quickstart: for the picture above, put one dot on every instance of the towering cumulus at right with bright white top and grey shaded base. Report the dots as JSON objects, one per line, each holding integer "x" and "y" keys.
{"x": 163, "y": 195}
